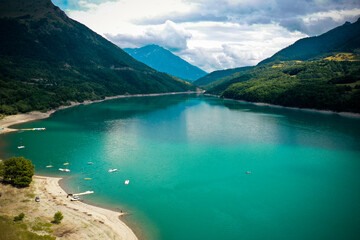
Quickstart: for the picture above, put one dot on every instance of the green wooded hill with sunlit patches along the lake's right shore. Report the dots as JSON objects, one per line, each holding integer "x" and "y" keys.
{"x": 322, "y": 84}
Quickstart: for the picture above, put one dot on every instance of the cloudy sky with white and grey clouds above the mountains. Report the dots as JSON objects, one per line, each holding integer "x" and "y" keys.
{"x": 211, "y": 34}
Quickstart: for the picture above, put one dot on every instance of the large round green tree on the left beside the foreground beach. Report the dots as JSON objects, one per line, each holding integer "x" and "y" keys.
{"x": 18, "y": 171}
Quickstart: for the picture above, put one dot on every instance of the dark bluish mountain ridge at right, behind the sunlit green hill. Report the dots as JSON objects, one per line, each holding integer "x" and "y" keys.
{"x": 345, "y": 38}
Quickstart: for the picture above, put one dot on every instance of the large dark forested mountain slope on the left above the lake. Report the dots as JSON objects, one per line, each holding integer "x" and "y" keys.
{"x": 48, "y": 60}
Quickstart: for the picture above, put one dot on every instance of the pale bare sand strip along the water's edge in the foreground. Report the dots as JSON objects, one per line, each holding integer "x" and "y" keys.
{"x": 102, "y": 219}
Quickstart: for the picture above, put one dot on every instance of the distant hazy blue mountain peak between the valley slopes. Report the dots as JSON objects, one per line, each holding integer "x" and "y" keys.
{"x": 165, "y": 61}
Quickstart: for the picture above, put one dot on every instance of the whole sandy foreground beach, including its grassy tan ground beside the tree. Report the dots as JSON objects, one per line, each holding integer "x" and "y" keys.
{"x": 81, "y": 221}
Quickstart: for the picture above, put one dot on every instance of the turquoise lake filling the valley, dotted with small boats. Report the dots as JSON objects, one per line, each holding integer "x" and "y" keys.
{"x": 187, "y": 159}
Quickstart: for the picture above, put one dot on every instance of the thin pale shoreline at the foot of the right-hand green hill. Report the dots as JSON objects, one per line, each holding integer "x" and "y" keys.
{"x": 342, "y": 114}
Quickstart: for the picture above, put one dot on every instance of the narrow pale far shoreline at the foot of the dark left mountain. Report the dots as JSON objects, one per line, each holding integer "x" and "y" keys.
{"x": 8, "y": 121}
